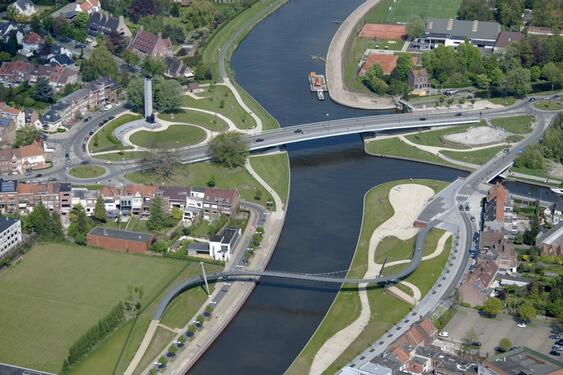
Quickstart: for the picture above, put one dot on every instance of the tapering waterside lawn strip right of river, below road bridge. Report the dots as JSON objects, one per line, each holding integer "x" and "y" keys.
{"x": 394, "y": 147}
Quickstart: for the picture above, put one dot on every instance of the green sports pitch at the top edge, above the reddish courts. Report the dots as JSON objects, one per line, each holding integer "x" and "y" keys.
{"x": 392, "y": 11}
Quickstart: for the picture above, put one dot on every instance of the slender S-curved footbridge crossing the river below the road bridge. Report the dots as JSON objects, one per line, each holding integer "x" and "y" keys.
{"x": 415, "y": 260}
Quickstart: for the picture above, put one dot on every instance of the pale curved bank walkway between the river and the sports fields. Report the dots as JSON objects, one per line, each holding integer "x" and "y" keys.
{"x": 334, "y": 65}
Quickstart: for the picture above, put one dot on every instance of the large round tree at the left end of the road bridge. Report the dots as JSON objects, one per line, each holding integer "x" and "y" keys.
{"x": 229, "y": 149}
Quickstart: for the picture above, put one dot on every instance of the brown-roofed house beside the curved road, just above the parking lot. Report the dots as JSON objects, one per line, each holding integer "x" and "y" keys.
{"x": 476, "y": 288}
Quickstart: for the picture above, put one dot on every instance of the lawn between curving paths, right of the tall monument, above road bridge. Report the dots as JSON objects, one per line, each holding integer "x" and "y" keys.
{"x": 220, "y": 99}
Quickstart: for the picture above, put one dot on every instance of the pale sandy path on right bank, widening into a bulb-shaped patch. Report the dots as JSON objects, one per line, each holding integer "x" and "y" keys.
{"x": 408, "y": 201}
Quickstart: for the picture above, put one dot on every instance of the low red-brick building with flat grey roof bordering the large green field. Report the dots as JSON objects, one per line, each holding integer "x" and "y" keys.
{"x": 120, "y": 240}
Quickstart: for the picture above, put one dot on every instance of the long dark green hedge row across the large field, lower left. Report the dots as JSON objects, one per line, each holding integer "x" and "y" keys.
{"x": 93, "y": 336}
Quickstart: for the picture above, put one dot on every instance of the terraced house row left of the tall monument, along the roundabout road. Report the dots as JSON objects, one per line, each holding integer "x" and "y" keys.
{"x": 94, "y": 95}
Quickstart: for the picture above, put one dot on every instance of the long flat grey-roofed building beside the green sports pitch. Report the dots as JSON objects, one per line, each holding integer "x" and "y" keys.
{"x": 450, "y": 32}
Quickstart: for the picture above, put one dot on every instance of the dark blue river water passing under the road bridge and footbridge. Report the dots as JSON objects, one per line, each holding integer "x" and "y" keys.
{"x": 328, "y": 181}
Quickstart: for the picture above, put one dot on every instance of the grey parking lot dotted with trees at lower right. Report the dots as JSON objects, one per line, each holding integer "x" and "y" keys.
{"x": 491, "y": 331}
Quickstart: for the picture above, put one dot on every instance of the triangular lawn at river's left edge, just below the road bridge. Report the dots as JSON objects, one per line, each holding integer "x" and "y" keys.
{"x": 274, "y": 169}
